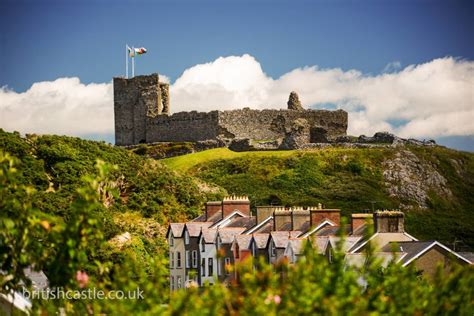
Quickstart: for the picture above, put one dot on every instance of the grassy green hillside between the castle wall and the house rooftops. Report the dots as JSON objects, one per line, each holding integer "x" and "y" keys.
{"x": 350, "y": 179}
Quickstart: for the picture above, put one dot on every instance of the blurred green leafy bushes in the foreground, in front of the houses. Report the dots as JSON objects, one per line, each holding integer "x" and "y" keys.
{"x": 312, "y": 286}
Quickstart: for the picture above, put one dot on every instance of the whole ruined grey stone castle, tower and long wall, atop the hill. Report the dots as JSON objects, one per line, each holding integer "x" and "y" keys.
{"x": 142, "y": 115}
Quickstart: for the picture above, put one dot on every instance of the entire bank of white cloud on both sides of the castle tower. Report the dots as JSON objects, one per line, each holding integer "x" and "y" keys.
{"x": 427, "y": 100}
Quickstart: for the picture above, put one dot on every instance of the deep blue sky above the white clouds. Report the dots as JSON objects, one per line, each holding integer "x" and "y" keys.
{"x": 46, "y": 40}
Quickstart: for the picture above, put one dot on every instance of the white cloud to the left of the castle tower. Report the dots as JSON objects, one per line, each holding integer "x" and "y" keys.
{"x": 64, "y": 106}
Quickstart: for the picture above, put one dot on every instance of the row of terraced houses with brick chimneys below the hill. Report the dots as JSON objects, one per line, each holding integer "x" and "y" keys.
{"x": 202, "y": 250}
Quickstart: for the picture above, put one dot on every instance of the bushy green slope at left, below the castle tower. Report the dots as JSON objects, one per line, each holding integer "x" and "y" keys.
{"x": 150, "y": 193}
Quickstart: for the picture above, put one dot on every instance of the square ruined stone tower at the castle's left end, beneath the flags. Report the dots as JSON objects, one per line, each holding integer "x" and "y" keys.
{"x": 136, "y": 99}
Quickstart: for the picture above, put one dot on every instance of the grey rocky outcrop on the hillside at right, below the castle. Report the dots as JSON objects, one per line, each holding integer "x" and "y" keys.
{"x": 410, "y": 179}
